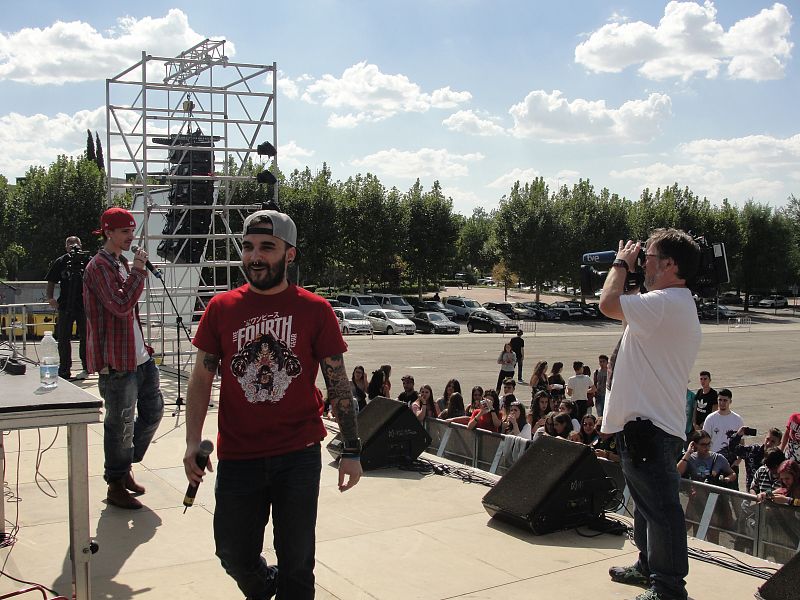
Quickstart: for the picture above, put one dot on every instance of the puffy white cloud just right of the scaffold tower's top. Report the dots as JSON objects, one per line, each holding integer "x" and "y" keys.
{"x": 364, "y": 94}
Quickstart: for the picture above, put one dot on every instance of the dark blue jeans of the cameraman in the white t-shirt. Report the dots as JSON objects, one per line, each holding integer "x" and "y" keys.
{"x": 659, "y": 526}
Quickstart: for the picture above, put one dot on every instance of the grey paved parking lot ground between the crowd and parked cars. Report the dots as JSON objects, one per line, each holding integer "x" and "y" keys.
{"x": 759, "y": 365}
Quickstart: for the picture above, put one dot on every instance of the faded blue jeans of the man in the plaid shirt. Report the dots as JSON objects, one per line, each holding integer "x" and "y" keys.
{"x": 134, "y": 406}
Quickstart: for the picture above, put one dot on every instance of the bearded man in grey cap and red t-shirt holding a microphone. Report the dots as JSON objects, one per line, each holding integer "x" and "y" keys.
{"x": 266, "y": 339}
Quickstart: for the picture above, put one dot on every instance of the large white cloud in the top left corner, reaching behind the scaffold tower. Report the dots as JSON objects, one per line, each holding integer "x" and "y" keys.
{"x": 75, "y": 51}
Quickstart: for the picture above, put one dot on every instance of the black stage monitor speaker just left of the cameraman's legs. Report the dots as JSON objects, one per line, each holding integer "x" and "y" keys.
{"x": 556, "y": 484}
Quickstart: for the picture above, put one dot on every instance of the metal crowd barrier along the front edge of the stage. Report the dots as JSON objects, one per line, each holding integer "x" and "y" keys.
{"x": 729, "y": 518}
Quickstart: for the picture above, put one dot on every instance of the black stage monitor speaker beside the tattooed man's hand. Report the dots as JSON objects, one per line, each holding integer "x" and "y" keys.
{"x": 390, "y": 435}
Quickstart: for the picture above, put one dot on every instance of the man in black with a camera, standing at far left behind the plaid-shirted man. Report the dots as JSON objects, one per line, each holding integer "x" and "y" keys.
{"x": 67, "y": 271}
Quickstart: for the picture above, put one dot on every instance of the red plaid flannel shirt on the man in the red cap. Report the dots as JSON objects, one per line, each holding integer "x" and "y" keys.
{"x": 110, "y": 303}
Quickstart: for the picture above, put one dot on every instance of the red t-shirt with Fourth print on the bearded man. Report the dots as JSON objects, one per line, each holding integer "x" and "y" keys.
{"x": 270, "y": 347}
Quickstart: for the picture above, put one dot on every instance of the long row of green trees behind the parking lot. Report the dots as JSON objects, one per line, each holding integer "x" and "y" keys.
{"x": 360, "y": 234}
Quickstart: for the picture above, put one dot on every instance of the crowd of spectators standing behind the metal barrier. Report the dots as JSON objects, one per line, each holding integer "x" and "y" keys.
{"x": 715, "y": 449}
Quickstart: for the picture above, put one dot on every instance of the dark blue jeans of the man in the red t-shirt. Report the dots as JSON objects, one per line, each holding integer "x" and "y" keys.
{"x": 245, "y": 491}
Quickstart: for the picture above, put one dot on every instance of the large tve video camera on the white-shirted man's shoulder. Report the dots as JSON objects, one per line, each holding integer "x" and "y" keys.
{"x": 711, "y": 273}
